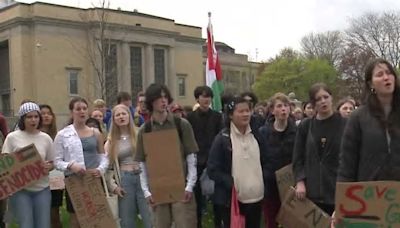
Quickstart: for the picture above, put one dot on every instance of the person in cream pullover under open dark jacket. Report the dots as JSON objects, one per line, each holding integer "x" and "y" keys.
{"x": 237, "y": 160}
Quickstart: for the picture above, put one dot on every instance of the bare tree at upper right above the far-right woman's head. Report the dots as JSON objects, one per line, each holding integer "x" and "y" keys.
{"x": 378, "y": 33}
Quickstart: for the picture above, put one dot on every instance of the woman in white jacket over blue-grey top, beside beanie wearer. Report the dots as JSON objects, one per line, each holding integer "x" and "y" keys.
{"x": 79, "y": 149}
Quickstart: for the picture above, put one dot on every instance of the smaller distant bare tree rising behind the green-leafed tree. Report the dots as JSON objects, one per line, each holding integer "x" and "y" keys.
{"x": 327, "y": 46}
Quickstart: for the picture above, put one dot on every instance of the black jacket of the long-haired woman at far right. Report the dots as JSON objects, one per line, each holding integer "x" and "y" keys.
{"x": 365, "y": 152}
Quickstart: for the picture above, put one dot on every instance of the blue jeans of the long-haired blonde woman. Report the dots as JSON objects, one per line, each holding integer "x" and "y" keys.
{"x": 132, "y": 200}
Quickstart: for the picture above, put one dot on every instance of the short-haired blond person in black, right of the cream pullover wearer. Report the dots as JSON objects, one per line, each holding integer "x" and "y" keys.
{"x": 279, "y": 136}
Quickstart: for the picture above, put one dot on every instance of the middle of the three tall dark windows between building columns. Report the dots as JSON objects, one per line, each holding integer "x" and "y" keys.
{"x": 136, "y": 71}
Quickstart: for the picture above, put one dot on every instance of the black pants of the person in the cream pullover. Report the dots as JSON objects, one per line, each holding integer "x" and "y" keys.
{"x": 251, "y": 212}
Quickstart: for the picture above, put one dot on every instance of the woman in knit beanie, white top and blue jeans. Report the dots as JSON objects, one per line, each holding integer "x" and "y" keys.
{"x": 31, "y": 205}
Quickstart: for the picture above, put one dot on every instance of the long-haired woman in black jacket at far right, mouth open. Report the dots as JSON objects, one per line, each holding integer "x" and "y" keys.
{"x": 371, "y": 142}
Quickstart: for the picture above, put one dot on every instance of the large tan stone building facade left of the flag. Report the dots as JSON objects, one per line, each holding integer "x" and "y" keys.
{"x": 50, "y": 53}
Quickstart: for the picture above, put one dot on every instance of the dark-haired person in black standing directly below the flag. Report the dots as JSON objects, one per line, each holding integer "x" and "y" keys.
{"x": 206, "y": 124}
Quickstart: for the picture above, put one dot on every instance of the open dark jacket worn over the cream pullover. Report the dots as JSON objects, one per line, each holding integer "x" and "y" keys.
{"x": 219, "y": 166}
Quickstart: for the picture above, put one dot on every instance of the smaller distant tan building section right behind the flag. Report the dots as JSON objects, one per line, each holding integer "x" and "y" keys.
{"x": 238, "y": 74}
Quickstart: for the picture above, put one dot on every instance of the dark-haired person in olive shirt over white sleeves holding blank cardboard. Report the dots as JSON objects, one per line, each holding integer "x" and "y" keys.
{"x": 182, "y": 213}
